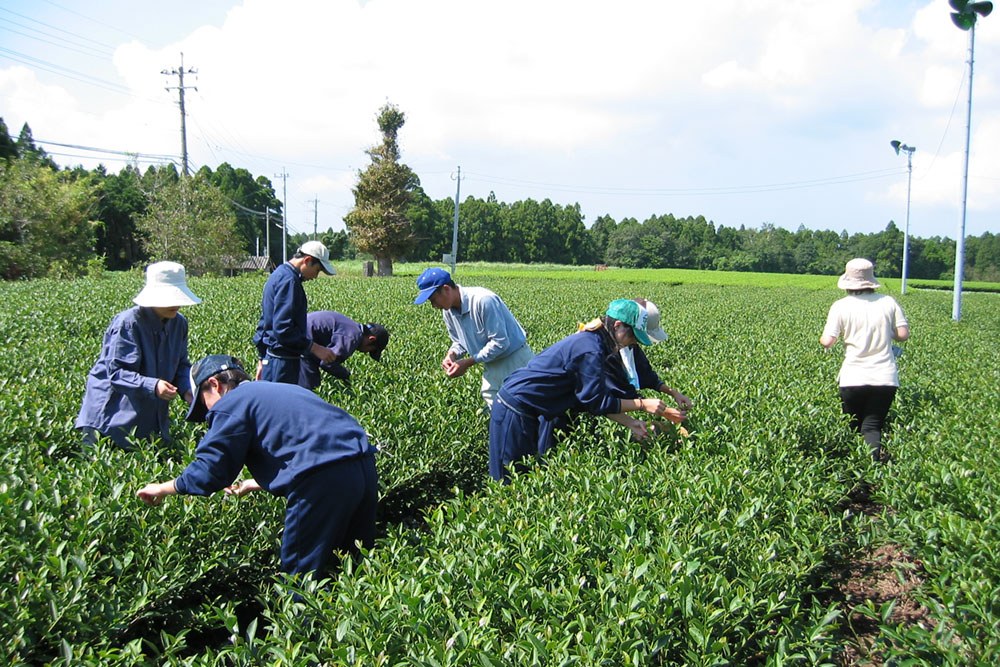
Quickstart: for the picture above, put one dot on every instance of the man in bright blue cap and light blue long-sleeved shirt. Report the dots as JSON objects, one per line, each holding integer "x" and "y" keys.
{"x": 481, "y": 327}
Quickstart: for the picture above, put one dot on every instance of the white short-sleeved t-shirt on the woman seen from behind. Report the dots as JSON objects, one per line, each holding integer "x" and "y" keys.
{"x": 866, "y": 323}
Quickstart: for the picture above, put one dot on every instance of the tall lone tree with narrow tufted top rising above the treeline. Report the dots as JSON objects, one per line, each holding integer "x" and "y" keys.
{"x": 379, "y": 223}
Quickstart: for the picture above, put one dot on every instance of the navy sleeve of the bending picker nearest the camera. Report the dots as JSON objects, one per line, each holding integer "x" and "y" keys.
{"x": 218, "y": 459}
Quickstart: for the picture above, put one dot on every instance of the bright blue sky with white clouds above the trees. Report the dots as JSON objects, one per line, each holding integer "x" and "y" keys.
{"x": 744, "y": 112}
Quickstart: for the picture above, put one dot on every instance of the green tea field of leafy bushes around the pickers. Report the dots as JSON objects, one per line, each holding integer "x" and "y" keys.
{"x": 728, "y": 547}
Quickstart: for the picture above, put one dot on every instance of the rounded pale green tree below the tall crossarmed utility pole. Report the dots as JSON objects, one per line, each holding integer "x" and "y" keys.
{"x": 191, "y": 222}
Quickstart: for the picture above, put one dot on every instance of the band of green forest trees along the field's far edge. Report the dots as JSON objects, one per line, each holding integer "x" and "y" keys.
{"x": 69, "y": 221}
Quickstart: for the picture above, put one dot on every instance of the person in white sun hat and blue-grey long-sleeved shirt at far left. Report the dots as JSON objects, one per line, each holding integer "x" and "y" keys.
{"x": 143, "y": 363}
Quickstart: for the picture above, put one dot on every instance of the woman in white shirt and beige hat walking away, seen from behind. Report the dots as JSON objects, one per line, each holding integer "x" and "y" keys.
{"x": 868, "y": 323}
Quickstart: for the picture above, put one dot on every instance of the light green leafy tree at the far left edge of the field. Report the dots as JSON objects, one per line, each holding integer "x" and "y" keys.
{"x": 45, "y": 223}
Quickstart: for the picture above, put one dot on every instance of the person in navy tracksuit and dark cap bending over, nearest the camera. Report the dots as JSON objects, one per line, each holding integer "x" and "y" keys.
{"x": 294, "y": 444}
